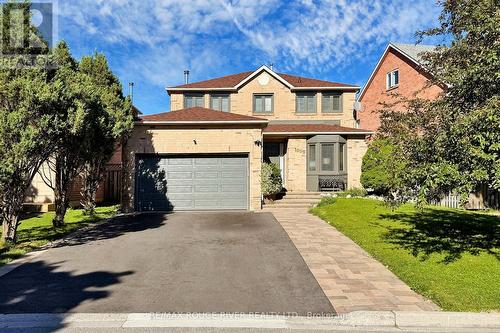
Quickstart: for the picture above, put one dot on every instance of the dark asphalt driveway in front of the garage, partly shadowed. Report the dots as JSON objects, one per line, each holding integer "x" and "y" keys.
{"x": 181, "y": 262}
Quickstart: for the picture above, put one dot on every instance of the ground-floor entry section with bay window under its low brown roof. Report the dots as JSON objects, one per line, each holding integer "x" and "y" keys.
{"x": 315, "y": 157}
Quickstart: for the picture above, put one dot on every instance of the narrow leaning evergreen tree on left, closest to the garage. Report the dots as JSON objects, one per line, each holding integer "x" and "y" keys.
{"x": 112, "y": 119}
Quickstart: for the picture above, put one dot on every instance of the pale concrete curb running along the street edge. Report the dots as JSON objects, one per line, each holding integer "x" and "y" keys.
{"x": 392, "y": 320}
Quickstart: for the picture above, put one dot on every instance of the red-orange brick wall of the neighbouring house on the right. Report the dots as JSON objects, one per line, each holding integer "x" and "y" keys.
{"x": 411, "y": 80}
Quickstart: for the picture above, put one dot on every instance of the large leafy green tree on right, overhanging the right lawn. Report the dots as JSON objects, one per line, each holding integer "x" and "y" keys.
{"x": 453, "y": 142}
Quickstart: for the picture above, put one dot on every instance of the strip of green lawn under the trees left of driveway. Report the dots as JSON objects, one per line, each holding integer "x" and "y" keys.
{"x": 37, "y": 231}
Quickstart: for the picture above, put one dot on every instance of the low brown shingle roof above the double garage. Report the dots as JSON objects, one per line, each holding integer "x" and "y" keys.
{"x": 197, "y": 115}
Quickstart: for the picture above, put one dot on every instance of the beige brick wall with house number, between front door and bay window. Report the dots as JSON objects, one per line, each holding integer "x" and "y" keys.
{"x": 296, "y": 165}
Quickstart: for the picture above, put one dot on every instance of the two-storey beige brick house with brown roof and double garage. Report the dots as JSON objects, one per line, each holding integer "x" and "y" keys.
{"x": 206, "y": 153}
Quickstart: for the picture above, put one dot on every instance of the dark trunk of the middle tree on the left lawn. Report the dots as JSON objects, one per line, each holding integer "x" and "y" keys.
{"x": 61, "y": 191}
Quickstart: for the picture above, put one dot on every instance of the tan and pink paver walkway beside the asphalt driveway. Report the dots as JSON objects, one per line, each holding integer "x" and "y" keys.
{"x": 351, "y": 279}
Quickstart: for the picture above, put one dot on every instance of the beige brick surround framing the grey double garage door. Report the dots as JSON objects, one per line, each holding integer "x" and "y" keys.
{"x": 168, "y": 140}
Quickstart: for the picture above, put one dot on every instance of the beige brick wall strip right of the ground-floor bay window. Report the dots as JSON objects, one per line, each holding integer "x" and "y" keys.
{"x": 356, "y": 149}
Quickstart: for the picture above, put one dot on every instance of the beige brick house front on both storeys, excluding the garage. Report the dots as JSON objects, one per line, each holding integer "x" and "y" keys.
{"x": 284, "y": 100}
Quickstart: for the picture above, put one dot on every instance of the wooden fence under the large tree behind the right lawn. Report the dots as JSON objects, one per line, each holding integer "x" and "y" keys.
{"x": 483, "y": 198}
